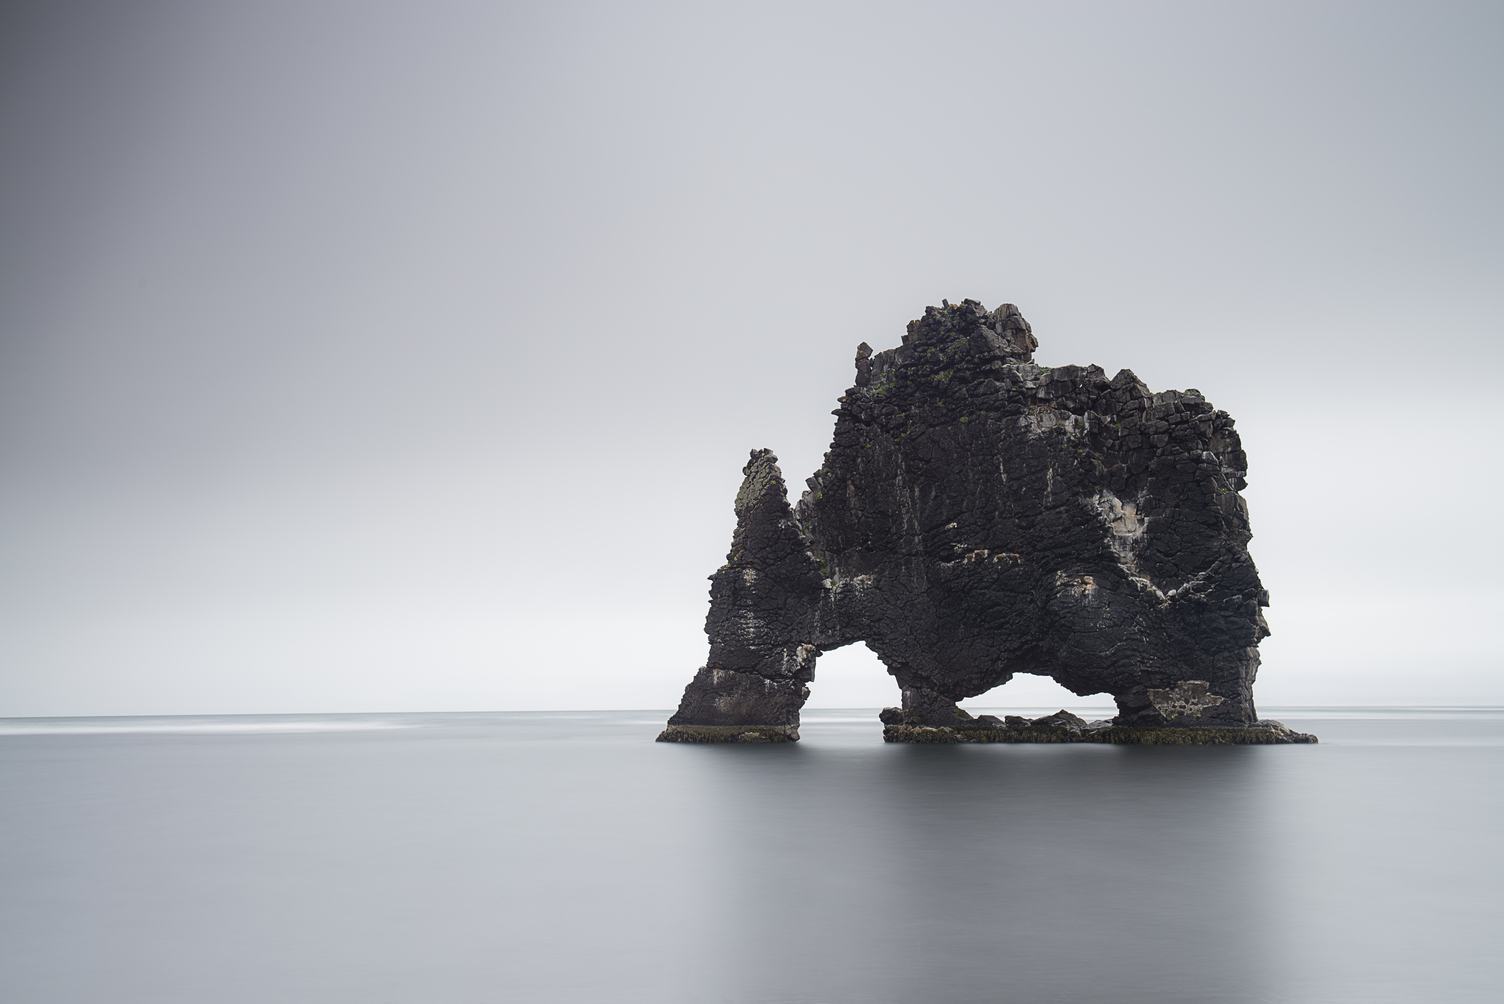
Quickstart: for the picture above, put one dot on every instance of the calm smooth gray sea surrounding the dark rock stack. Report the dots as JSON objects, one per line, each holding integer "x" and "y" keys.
{"x": 568, "y": 857}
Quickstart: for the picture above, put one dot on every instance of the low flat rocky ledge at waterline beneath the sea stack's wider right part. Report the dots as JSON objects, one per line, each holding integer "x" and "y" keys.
{"x": 1067, "y": 728}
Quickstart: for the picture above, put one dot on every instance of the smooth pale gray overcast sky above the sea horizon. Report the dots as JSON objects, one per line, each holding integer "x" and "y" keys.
{"x": 405, "y": 355}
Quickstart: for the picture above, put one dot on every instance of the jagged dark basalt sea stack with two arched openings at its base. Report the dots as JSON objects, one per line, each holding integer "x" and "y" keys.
{"x": 981, "y": 516}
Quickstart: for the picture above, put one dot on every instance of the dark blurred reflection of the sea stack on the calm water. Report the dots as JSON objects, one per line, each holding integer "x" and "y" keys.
{"x": 941, "y": 872}
